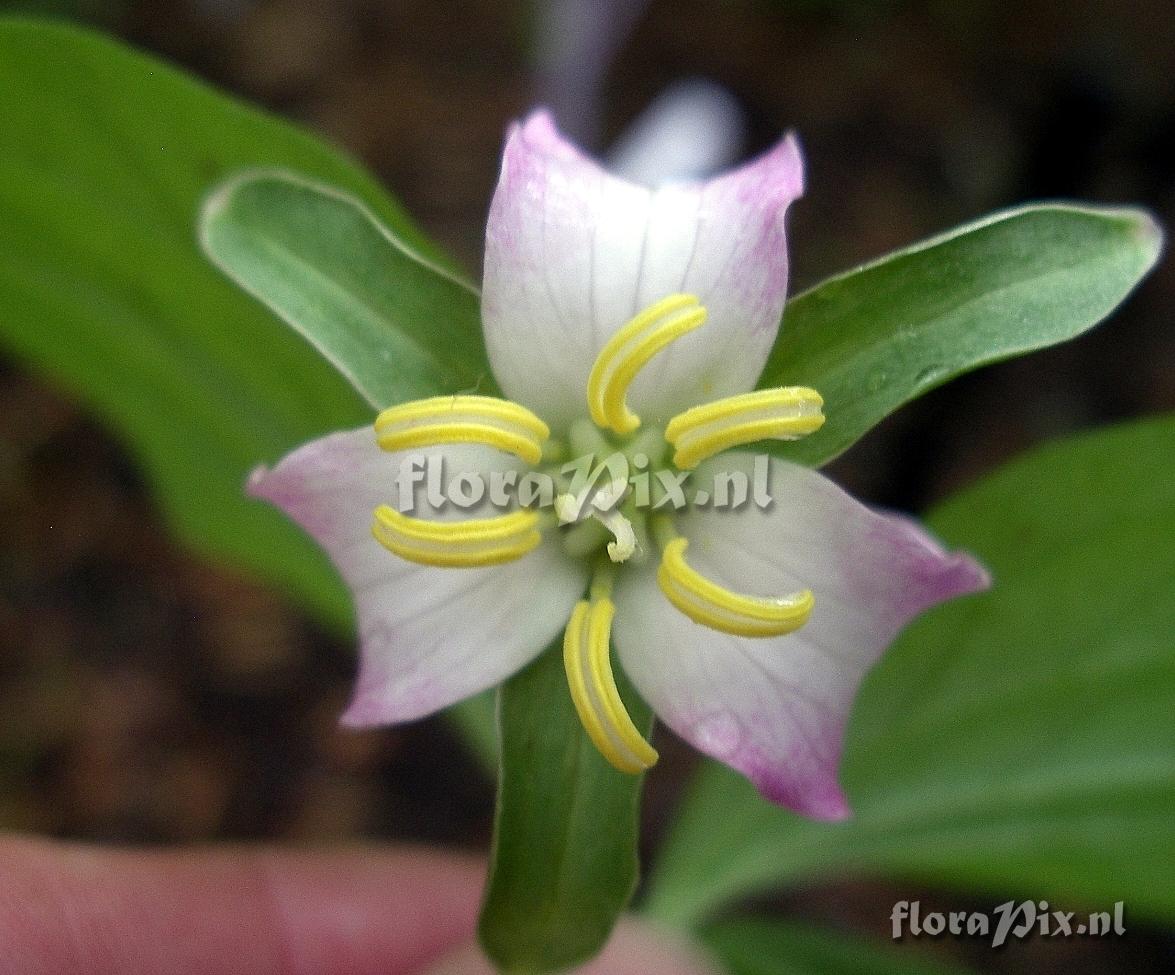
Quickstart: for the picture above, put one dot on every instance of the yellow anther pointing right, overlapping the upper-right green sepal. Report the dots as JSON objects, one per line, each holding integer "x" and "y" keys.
{"x": 784, "y": 414}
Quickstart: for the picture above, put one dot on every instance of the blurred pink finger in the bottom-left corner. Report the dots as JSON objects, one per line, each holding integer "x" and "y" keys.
{"x": 66, "y": 907}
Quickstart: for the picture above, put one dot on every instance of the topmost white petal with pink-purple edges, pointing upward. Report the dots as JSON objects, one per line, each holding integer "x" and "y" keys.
{"x": 573, "y": 253}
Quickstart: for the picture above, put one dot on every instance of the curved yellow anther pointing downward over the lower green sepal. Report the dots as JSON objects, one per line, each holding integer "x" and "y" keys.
{"x": 586, "y": 657}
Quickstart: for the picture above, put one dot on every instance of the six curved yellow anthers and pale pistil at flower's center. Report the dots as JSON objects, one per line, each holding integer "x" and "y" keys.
{"x": 614, "y": 505}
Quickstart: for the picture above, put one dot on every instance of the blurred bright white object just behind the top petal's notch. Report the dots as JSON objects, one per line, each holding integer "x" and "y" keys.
{"x": 691, "y": 130}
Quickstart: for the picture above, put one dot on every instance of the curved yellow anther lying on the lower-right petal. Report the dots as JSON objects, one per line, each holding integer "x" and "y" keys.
{"x": 720, "y": 609}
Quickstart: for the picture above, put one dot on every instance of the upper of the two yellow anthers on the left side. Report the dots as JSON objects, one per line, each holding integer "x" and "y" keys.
{"x": 449, "y": 420}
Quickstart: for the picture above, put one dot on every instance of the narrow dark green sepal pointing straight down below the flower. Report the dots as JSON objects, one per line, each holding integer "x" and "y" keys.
{"x": 565, "y": 862}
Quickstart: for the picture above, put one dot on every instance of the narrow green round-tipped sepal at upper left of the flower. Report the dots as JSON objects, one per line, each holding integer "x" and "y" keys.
{"x": 393, "y": 324}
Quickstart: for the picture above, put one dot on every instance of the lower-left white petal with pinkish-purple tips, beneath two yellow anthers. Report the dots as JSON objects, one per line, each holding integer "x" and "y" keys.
{"x": 428, "y": 637}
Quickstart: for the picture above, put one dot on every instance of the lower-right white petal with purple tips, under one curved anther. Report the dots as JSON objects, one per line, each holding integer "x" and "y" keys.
{"x": 776, "y": 709}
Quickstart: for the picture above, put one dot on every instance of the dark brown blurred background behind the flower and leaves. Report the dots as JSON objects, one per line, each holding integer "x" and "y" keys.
{"x": 149, "y": 696}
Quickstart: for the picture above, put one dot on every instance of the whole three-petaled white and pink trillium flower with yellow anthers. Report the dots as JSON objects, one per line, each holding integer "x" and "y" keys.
{"x": 626, "y": 326}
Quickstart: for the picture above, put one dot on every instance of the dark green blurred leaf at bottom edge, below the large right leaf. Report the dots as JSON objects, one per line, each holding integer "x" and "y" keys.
{"x": 755, "y": 947}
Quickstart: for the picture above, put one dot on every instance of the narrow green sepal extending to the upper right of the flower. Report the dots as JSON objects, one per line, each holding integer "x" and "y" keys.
{"x": 879, "y": 337}
